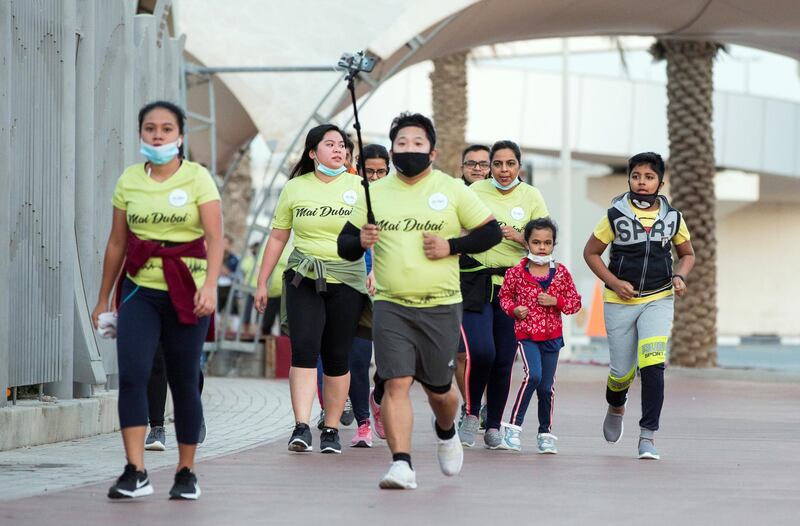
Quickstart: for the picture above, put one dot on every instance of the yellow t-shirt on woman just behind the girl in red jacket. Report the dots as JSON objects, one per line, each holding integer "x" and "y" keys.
{"x": 514, "y": 209}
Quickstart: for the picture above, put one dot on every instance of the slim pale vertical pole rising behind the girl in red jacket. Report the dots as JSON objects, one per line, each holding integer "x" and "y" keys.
{"x": 566, "y": 185}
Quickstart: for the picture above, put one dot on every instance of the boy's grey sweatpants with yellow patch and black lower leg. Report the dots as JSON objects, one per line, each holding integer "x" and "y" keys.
{"x": 638, "y": 336}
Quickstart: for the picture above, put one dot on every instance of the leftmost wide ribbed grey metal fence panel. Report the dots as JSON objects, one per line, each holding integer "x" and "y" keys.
{"x": 42, "y": 61}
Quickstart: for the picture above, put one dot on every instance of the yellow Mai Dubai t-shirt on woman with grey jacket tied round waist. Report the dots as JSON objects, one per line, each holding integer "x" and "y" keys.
{"x": 317, "y": 212}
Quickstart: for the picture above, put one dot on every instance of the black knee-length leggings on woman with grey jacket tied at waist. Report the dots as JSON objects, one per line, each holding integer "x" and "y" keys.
{"x": 322, "y": 324}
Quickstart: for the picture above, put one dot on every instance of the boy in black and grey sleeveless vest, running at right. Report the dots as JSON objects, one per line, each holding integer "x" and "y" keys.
{"x": 641, "y": 228}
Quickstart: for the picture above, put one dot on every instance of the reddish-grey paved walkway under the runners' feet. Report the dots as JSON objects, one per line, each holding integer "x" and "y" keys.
{"x": 730, "y": 446}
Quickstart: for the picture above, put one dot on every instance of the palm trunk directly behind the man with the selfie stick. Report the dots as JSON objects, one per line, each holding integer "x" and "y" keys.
{"x": 449, "y": 90}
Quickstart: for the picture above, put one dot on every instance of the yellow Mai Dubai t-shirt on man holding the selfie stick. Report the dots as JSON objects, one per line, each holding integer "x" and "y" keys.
{"x": 438, "y": 204}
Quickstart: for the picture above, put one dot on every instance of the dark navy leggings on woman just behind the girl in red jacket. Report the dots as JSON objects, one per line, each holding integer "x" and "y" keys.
{"x": 491, "y": 346}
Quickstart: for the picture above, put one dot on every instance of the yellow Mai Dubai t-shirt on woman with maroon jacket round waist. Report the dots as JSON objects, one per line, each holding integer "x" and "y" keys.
{"x": 165, "y": 211}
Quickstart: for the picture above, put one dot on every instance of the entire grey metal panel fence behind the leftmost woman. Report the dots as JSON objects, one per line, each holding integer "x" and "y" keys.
{"x": 67, "y": 130}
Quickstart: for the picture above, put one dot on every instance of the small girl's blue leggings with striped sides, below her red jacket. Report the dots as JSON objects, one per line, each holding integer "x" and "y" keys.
{"x": 539, "y": 368}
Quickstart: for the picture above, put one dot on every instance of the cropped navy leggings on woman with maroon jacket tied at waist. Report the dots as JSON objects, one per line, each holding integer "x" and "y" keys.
{"x": 146, "y": 317}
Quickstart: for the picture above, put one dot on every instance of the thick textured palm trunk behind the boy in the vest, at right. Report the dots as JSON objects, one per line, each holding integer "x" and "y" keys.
{"x": 690, "y": 87}
